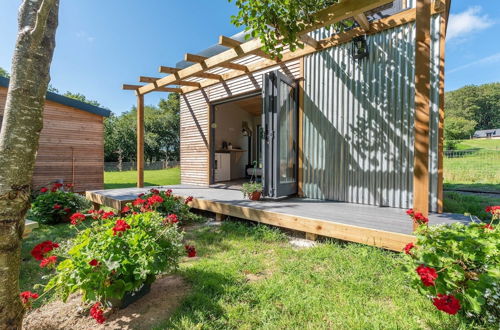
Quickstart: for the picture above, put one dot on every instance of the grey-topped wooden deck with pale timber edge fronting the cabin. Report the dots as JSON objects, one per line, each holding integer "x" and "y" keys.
{"x": 388, "y": 228}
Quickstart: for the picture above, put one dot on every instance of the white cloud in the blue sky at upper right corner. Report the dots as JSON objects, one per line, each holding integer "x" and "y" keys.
{"x": 464, "y": 24}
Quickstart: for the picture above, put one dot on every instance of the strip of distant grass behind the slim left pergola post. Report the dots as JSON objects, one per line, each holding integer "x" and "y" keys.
{"x": 126, "y": 179}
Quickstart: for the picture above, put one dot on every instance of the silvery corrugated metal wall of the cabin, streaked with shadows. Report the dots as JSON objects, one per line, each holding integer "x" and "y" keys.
{"x": 358, "y": 120}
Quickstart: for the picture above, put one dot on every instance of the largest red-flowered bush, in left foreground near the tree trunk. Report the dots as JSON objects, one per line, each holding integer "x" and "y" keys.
{"x": 115, "y": 256}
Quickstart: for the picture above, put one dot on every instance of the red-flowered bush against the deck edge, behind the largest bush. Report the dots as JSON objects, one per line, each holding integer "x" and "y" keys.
{"x": 166, "y": 204}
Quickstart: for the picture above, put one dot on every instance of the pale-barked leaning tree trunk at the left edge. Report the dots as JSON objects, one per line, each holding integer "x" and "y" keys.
{"x": 19, "y": 137}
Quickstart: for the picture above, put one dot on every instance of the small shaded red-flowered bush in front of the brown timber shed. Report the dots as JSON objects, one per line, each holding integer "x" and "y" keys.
{"x": 56, "y": 204}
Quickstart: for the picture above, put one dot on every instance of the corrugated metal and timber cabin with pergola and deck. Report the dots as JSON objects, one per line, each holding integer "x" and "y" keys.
{"x": 345, "y": 134}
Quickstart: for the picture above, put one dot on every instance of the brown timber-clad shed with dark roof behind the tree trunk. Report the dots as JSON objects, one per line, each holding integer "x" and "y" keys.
{"x": 71, "y": 147}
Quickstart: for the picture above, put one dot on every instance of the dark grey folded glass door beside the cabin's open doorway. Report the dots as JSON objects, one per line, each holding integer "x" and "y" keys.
{"x": 280, "y": 122}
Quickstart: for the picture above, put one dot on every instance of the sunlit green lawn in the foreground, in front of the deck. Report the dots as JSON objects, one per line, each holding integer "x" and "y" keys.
{"x": 249, "y": 277}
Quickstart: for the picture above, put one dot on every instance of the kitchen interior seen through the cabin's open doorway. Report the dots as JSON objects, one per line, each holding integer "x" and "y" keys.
{"x": 237, "y": 152}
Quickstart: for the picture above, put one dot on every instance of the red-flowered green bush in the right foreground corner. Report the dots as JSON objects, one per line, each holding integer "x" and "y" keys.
{"x": 458, "y": 267}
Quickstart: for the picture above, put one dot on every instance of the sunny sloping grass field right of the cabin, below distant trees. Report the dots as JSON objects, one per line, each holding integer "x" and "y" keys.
{"x": 479, "y": 171}
